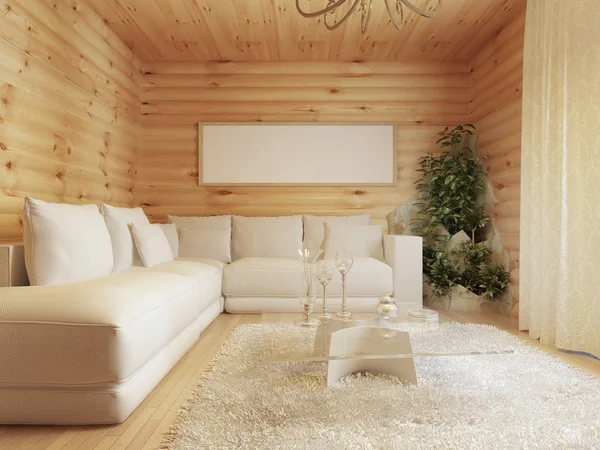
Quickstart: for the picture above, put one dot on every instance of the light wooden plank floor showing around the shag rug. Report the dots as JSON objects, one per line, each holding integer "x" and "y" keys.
{"x": 145, "y": 428}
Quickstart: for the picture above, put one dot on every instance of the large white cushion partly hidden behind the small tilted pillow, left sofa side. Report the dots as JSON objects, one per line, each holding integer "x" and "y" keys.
{"x": 118, "y": 220}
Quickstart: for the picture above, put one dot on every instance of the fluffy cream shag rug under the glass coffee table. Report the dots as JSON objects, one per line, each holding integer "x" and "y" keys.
{"x": 527, "y": 400}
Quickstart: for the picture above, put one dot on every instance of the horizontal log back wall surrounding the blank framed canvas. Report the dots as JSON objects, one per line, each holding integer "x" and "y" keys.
{"x": 421, "y": 97}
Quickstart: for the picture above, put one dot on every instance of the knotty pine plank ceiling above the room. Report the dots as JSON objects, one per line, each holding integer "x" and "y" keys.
{"x": 272, "y": 30}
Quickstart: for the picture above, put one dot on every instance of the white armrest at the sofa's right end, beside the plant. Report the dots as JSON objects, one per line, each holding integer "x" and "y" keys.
{"x": 405, "y": 255}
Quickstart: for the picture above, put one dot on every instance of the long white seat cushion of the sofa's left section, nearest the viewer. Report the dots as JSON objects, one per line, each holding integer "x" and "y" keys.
{"x": 97, "y": 332}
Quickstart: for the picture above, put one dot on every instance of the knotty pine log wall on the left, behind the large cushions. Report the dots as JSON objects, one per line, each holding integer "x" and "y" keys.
{"x": 69, "y": 109}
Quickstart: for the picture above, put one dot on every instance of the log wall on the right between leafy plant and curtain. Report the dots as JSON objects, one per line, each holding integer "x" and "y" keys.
{"x": 497, "y": 74}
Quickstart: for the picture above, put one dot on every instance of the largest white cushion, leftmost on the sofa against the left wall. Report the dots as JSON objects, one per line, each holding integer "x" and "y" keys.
{"x": 65, "y": 243}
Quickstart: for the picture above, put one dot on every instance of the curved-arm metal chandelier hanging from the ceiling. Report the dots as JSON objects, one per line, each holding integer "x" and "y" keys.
{"x": 395, "y": 9}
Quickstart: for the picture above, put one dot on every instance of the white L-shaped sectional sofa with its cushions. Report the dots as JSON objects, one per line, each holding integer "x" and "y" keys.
{"x": 87, "y": 344}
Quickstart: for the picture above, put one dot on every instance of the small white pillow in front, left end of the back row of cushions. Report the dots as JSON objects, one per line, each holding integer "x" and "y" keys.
{"x": 208, "y": 244}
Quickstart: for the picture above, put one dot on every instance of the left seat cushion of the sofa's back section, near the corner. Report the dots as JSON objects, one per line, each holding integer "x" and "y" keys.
{"x": 263, "y": 277}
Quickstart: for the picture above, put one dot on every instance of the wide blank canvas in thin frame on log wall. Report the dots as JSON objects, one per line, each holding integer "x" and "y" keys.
{"x": 297, "y": 154}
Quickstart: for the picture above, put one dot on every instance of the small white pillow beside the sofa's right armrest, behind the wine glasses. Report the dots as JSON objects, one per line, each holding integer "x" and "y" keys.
{"x": 363, "y": 241}
